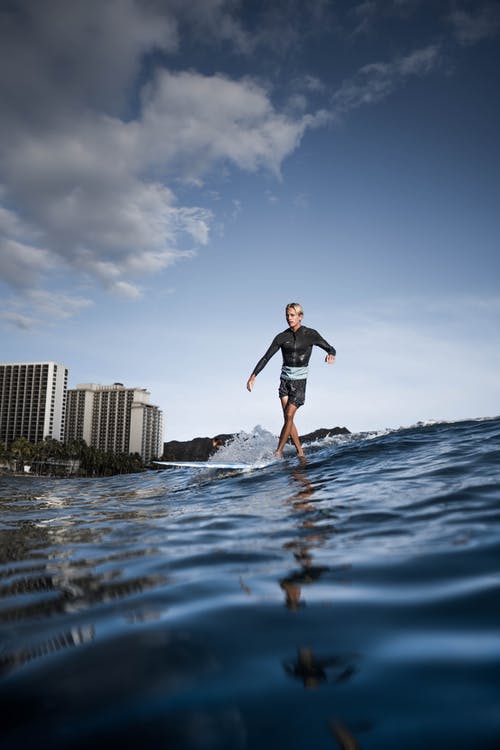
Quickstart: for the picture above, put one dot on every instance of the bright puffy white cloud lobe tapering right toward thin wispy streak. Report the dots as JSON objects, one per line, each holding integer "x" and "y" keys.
{"x": 192, "y": 121}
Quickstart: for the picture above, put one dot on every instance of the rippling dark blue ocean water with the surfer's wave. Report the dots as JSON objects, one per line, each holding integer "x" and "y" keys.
{"x": 353, "y": 601}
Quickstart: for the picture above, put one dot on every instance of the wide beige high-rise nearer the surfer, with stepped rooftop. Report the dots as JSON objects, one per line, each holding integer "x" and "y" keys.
{"x": 115, "y": 418}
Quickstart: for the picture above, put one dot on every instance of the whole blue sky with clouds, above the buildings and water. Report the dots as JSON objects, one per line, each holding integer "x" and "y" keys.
{"x": 173, "y": 173}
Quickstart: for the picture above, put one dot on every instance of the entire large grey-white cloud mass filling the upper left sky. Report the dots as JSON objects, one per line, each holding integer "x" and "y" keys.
{"x": 86, "y": 187}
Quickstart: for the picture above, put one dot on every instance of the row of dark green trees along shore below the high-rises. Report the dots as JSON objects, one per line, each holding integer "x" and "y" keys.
{"x": 76, "y": 458}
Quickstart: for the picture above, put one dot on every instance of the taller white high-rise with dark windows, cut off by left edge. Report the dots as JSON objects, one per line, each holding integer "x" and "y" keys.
{"x": 32, "y": 401}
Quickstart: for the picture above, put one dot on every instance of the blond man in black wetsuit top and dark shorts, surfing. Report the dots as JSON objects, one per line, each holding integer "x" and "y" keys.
{"x": 296, "y": 344}
